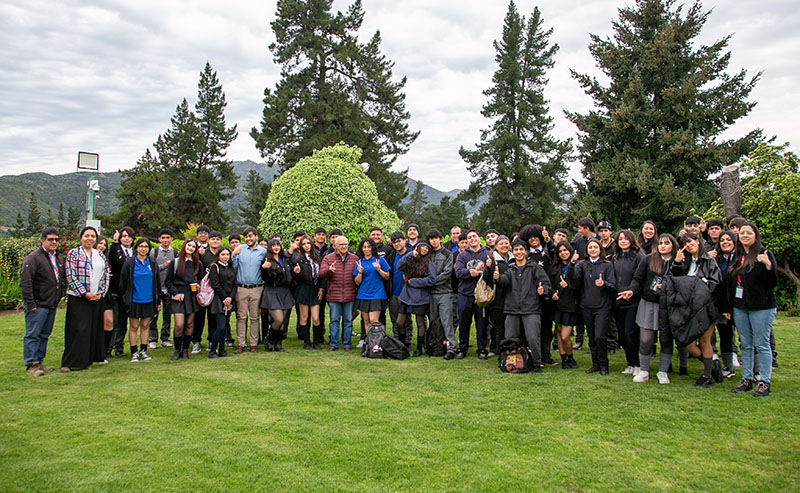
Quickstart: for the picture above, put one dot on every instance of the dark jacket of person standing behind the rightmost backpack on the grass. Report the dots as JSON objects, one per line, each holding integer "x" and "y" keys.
{"x": 521, "y": 285}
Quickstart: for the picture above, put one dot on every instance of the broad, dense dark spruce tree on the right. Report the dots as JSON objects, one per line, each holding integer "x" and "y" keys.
{"x": 652, "y": 142}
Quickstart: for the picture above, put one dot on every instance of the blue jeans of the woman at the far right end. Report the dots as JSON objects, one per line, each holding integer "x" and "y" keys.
{"x": 754, "y": 327}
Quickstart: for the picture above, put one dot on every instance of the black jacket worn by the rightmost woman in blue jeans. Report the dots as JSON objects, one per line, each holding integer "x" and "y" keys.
{"x": 758, "y": 285}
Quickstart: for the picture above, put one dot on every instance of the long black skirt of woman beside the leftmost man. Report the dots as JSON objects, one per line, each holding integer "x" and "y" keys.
{"x": 83, "y": 333}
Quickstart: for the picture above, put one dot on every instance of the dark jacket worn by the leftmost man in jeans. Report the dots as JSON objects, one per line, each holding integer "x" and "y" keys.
{"x": 37, "y": 282}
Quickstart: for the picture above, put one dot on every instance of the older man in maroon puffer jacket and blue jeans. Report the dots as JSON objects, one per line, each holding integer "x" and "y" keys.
{"x": 337, "y": 268}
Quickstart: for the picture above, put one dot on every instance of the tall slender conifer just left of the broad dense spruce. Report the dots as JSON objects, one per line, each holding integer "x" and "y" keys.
{"x": 517, "y": 160}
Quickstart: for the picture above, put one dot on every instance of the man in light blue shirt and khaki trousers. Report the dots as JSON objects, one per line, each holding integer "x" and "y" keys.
{"x": 248, "y": 259}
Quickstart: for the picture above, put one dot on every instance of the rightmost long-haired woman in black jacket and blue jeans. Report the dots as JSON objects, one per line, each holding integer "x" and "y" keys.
{"x": 754, "y": 278}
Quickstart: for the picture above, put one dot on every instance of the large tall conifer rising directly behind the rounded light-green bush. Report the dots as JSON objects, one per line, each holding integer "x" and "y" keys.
{"x": 333, "y": 89}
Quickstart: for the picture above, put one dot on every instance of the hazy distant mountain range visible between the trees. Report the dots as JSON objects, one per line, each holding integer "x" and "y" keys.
{"x": 70, "y": 188}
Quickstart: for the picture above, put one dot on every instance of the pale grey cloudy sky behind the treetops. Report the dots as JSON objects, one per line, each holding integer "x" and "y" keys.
{"x": 106, "y": 76}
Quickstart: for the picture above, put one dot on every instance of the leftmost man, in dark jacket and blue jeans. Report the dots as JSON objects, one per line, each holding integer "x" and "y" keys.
{"x": 40, "y": 283}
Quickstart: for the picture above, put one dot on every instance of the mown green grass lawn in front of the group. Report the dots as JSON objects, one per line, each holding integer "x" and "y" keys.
{"x": 318, "y": 421}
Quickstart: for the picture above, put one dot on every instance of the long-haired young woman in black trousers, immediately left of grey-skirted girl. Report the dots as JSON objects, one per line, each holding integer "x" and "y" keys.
{"x": 627, "y": 258}
